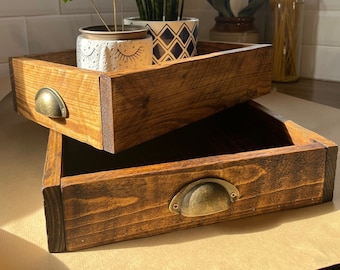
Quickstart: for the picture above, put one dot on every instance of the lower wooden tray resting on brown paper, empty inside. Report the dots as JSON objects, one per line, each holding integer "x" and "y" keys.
{"x": 268, "y": 164}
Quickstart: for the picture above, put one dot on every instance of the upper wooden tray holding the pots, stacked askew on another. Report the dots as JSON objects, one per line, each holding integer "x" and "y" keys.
{"x": 115, "y": 111}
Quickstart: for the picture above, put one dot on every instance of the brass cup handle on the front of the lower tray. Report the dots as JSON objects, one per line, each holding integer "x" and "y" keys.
{"x": 204, "y": 197}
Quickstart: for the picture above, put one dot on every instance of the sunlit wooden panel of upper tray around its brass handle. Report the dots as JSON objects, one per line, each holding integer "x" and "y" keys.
{"x": 79, "y": 90}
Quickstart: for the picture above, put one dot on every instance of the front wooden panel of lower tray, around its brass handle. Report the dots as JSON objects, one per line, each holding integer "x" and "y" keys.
{"x": 112, "y": 206}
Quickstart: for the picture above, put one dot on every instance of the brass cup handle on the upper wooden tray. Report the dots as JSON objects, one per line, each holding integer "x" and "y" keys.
{"x": 49, "y": 103}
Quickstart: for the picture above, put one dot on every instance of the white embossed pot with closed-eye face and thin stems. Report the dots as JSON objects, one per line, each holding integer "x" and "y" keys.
{"x": 113, "y": 47}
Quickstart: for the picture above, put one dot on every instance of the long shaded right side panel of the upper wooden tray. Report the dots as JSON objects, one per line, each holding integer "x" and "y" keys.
{"x": 151, "y": 102}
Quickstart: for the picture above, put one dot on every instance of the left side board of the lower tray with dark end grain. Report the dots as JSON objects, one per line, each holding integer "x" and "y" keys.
{"x": 52, "y": 194}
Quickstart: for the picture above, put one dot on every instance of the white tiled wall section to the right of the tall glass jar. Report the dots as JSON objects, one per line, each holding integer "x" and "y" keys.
{"x": 321, "y": 40}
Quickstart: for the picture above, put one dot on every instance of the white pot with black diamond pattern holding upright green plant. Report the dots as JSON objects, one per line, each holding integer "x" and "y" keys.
{"x": 174, "y": 36}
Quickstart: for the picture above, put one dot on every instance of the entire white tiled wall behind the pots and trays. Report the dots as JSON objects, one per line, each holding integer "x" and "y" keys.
{"x": 38, "y": 26}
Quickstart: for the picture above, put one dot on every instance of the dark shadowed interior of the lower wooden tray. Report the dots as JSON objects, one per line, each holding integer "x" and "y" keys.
{"x": 239, "y": 129}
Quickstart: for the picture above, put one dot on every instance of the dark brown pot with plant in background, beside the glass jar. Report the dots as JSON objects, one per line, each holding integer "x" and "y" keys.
{"x": 235, "y": 19}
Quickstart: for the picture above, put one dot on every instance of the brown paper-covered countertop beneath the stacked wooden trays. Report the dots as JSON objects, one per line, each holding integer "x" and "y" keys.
{"x": 305, "y": 238}
